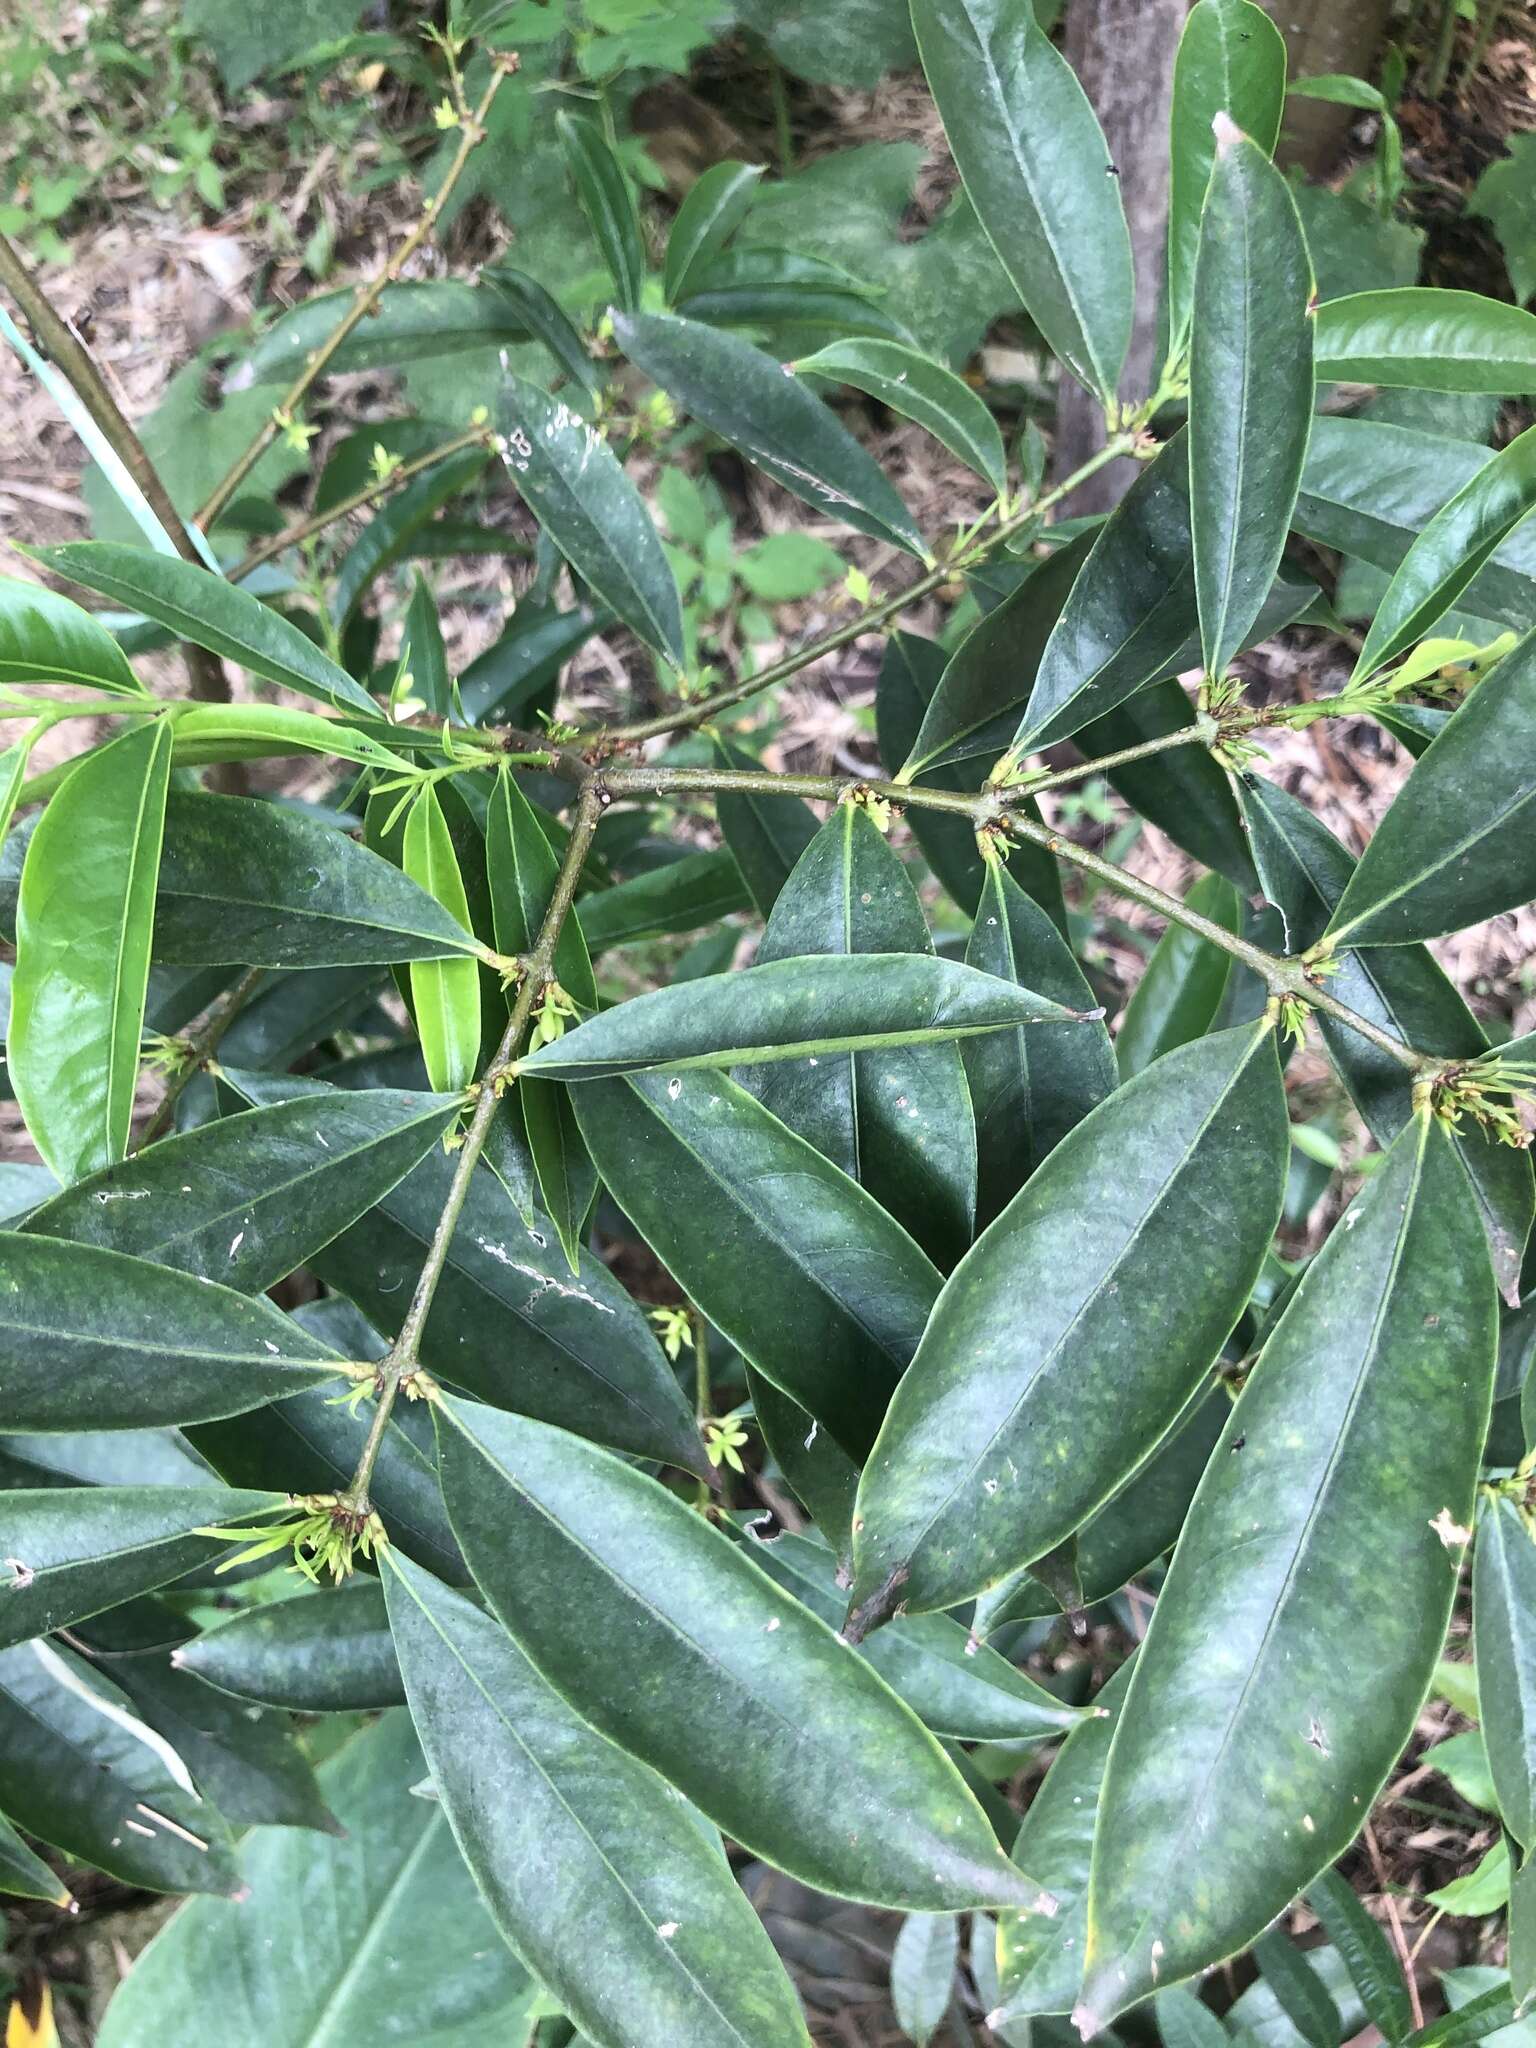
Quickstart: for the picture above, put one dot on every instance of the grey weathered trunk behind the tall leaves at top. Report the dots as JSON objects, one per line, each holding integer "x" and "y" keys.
{"x": 1123, "y": 52}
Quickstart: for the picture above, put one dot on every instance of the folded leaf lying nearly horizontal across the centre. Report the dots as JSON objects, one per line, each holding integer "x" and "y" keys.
{"x": 794, "y": 1009}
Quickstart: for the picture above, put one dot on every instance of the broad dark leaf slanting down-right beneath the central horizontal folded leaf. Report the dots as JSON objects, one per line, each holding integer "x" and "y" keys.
{"x": 790, "y": 1258}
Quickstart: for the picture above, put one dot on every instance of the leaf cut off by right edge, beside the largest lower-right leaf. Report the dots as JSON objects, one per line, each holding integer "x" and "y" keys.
{"x": 1504, "y": 1617}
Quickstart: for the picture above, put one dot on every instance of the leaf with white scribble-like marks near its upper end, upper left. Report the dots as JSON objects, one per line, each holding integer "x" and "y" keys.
{"x": 591, "y": 511}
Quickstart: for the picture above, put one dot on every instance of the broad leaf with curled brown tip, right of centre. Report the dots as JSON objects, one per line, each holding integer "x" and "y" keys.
{"x": 1076, "y": 1330}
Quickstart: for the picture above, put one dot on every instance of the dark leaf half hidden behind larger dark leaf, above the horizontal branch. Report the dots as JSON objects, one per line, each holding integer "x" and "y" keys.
{"x": 994, "y": 671}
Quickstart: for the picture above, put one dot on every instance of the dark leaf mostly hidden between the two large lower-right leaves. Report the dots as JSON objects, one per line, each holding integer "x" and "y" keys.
{"x": 1132, "y": 1531}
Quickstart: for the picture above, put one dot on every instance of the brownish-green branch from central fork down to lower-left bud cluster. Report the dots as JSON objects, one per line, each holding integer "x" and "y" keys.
{"x": 538, "y": 968}
